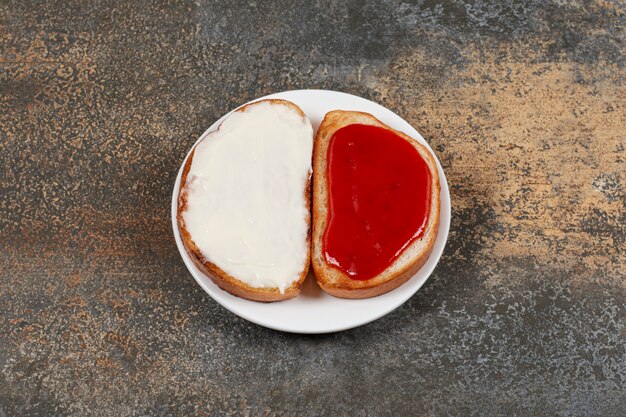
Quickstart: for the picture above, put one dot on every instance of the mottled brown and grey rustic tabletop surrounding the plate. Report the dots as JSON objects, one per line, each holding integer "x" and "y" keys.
{"x": 523, "y": 103}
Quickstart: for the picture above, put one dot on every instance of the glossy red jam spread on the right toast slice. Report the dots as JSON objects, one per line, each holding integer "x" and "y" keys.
{"x": 379, "y": 199}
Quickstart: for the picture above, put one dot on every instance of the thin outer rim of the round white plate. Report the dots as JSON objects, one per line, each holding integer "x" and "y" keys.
{"x": 443, "y": 231}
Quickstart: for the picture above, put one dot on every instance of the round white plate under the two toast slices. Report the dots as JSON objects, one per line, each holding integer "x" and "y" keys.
{"x": 314, "y": 311}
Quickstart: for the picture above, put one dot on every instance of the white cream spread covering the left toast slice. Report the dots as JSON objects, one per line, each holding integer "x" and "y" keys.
{"x": 246, "y": 207}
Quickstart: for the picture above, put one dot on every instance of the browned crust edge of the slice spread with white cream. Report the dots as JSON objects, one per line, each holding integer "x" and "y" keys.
{"x": 216, "y": 274}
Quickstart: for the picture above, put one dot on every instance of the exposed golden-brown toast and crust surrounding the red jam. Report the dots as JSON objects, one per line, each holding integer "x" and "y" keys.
{"x": 331, "y": 278}
